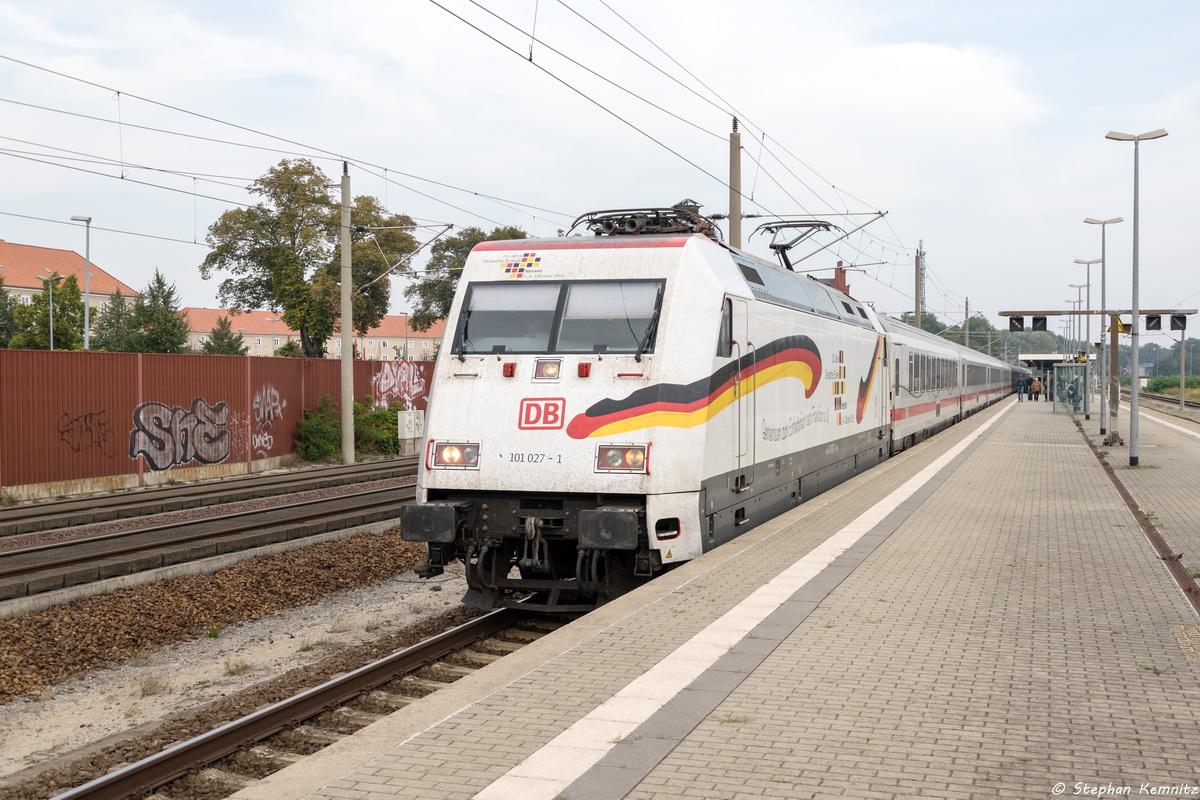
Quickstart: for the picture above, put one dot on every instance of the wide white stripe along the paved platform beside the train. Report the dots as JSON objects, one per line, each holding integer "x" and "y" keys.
{"x": 545, "y": 774}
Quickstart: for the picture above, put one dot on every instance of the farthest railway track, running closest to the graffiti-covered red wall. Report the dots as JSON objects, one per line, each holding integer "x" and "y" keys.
{"x": 86, "y": 512}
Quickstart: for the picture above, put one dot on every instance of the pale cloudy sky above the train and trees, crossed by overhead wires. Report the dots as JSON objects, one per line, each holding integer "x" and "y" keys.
{"x": 979, "y": 128}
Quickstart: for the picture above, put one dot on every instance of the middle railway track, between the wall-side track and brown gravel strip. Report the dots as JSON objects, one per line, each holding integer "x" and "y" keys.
{"x": 50, "y": 567}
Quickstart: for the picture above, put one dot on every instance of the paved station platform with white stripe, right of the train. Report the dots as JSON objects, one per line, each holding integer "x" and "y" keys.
{"x": 980, "y": 617}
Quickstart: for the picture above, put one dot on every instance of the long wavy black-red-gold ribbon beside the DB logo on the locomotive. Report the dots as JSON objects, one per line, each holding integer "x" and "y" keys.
{"x": 687, "y": 406}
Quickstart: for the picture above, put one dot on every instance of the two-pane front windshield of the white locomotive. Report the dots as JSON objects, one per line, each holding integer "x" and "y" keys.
{"x": 561, "y": 317}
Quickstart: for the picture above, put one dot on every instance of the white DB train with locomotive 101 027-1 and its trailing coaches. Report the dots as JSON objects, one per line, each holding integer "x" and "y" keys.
{"x": 607, "y": 407}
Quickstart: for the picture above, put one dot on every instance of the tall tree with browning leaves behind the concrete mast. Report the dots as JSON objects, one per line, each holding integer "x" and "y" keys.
{"x": 285, "y": 254}
